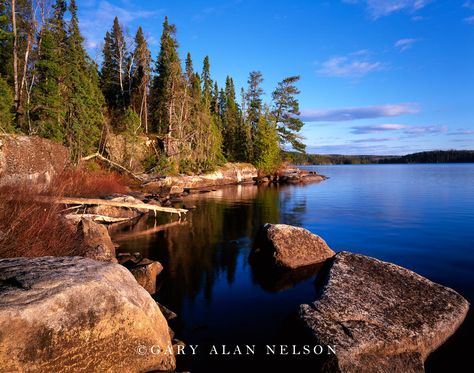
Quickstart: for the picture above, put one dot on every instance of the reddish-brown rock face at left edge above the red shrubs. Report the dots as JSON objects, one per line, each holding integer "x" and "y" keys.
{"x": 30, "y": 160}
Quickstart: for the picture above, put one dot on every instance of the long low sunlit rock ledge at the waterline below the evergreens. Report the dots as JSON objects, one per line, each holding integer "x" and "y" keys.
{"x": 230, "y": 173}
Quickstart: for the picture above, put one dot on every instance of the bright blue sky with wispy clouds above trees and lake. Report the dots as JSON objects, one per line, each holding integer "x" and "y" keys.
{"x": 377, "y": 76}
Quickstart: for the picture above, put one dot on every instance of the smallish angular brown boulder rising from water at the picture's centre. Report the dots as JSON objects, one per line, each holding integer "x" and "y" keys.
{"x": 289, "y": 247}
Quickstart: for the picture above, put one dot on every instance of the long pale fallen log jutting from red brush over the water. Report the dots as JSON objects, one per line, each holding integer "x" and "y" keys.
{"x": 96, "y": 201}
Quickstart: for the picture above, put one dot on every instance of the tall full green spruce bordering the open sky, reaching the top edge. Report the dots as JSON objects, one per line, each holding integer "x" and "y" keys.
{"x": 84, "y": 118}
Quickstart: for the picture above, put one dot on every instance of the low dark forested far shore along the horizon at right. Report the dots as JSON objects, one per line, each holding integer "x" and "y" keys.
{"x": 437, "y": 156}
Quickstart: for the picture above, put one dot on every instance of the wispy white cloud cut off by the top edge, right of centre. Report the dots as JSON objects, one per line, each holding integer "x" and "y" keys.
{"x": 382, "y": 8}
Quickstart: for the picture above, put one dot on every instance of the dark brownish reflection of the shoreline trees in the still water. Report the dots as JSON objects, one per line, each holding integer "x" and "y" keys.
{"x": 199, "y": 251}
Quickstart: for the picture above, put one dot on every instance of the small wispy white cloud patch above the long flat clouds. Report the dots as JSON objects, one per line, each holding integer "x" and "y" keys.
{"x": 354, "y": 65}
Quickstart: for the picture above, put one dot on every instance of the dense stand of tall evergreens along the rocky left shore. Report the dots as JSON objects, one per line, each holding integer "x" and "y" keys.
{"x": 50, "y": 87}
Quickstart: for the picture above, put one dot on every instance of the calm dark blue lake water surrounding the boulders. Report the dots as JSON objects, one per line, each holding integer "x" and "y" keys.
{"x": 417, "y": 216}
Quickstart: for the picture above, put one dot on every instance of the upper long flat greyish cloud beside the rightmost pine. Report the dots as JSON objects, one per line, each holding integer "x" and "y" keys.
{"x": 361, "y": 112}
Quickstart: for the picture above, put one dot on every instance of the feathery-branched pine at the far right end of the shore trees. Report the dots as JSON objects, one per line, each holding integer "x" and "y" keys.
{"x": 286, "y": 111}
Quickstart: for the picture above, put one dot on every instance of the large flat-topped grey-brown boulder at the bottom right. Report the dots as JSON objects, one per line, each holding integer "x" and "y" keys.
{"x": 379, "y": 317}
